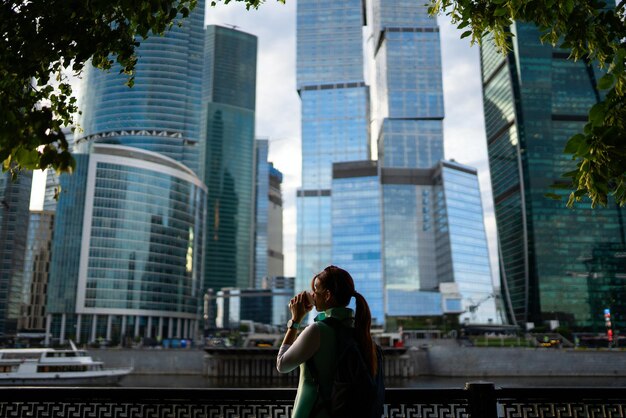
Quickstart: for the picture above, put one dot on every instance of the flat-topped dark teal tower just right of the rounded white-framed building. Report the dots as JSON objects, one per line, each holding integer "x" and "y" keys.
{"x": 228, "y": 156}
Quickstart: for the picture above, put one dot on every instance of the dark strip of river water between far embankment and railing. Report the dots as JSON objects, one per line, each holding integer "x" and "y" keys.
{"x": 197, "y": 381}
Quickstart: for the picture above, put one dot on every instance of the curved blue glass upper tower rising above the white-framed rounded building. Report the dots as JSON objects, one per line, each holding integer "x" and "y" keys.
{"x": 161, "y": 111}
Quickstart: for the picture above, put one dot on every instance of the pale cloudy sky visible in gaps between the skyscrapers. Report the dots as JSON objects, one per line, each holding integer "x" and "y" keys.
{"x": 278, "y": 105}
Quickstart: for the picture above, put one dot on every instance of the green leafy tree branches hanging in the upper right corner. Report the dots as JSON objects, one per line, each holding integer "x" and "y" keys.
{"x": 591, "y": 31}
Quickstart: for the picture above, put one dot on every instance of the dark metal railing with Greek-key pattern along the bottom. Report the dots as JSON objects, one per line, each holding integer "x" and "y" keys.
{"x": 477, "y": 400}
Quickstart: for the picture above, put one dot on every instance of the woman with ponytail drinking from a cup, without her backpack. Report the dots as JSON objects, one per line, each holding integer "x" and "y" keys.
{"x": 332, "y": 289}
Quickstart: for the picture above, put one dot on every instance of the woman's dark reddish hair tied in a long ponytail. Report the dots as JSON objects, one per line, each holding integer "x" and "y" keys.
{"x": 341, "y": 286}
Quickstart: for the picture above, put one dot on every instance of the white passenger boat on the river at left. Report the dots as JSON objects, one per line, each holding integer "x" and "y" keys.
{"x": 52, "y": 367}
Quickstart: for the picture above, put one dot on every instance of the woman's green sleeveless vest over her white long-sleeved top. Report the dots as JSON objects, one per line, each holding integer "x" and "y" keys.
{"x": 324, "y": 360}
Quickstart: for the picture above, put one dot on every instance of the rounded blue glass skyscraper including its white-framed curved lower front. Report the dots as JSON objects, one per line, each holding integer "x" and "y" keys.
{"x": 127, "y": 257}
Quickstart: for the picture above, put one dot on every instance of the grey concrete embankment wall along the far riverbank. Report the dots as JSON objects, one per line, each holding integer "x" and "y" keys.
{"x": 445, "y": 360}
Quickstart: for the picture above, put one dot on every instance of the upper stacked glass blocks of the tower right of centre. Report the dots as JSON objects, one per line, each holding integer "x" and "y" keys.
{"x": 409, "y": 105}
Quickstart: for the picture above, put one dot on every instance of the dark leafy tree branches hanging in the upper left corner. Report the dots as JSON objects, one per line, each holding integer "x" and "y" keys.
{"x": 41, "y": 41}
